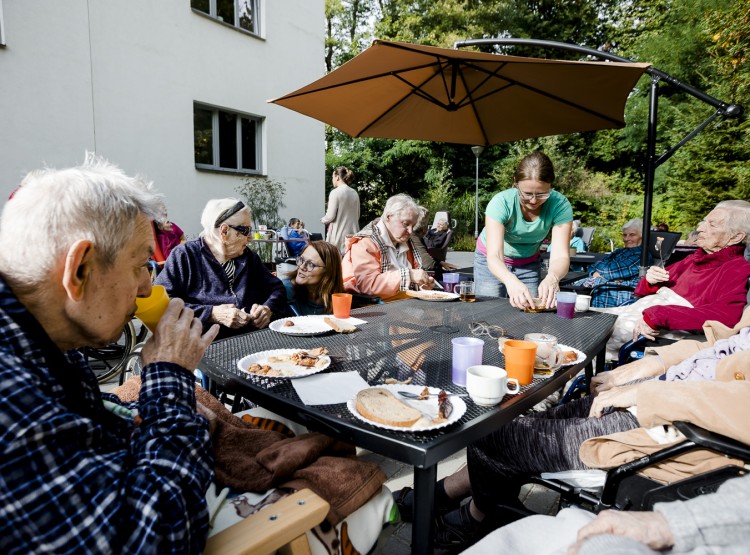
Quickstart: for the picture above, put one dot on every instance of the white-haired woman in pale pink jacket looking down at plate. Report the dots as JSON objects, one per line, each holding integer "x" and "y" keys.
{"x": 381, "y": 259}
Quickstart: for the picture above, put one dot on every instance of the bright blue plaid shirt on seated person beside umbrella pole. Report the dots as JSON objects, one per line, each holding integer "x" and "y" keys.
{"x": 619, "y": 266}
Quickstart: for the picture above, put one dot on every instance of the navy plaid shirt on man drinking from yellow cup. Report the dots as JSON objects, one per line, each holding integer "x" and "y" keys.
{"x": 75, "y": 477}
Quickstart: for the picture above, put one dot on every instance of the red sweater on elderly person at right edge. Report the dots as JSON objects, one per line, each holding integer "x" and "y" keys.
{"x": 715, "y": 284}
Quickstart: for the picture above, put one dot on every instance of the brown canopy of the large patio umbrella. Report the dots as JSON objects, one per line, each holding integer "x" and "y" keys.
{"x": 405, "y": 91}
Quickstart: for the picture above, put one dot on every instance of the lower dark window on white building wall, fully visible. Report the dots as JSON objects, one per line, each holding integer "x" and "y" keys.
{"x": 226, "y": 140}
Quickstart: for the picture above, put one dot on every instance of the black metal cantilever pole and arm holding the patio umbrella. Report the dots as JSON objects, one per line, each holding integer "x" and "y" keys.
{"x": 723, "y": 109}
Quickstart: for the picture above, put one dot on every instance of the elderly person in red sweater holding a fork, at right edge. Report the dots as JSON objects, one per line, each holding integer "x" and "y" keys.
{"x": 710, "y": 284}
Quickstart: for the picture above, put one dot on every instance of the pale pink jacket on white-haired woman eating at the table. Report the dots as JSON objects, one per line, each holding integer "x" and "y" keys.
{"x": 365, "y": 266}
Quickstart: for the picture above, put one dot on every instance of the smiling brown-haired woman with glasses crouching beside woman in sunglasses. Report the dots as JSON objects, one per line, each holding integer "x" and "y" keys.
{"x": 317, "y": 278}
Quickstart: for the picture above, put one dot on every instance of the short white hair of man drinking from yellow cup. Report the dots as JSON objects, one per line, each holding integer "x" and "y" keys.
{"x": 53, "y": 209}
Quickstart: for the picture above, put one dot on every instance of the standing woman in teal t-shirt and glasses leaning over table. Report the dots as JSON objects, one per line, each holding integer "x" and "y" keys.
{"x": 507, "y": 262}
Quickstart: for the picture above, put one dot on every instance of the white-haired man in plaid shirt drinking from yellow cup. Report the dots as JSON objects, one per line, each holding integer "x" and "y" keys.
{"x": 82, "y": 471}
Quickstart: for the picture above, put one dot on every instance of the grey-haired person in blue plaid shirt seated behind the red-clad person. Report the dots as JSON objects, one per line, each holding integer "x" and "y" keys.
{"x": 620, "y": 266}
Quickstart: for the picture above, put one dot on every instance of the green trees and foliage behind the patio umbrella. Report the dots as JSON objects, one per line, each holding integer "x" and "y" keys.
{"x": 704, "y": 43}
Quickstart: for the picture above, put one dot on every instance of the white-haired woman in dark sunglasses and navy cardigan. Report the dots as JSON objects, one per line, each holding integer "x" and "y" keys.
{"x": 222, "y": 280}
